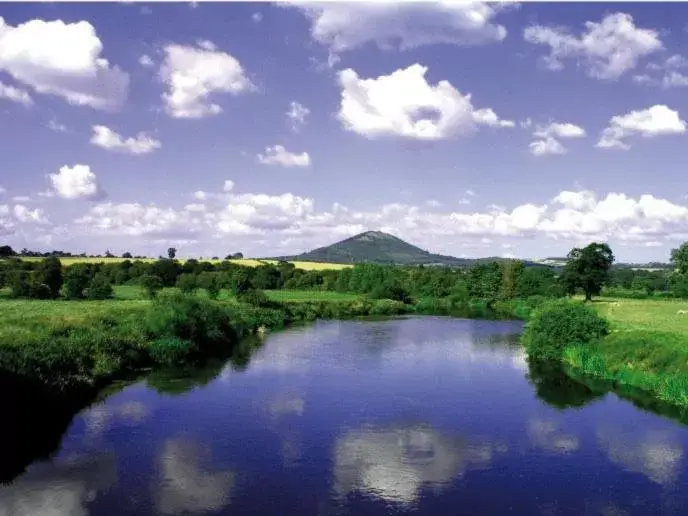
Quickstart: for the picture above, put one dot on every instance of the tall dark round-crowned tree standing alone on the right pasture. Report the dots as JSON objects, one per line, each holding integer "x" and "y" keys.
{"x": 588, "y": 269}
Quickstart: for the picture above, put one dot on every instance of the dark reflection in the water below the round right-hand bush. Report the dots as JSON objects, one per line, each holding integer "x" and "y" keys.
{"x": 558, "y": 389}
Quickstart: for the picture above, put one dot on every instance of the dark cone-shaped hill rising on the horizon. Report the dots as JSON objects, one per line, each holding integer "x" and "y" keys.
{"x": 381, "y": 248}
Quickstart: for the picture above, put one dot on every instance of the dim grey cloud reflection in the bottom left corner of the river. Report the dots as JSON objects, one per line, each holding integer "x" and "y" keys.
{"x": 61, "y": 488}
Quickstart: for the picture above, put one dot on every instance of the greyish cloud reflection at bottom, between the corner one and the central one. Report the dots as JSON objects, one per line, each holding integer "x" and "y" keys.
{"x": 184, "y": 486}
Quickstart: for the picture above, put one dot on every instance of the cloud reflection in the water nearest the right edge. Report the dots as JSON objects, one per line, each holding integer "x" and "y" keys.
{"x": 657, "y": 455}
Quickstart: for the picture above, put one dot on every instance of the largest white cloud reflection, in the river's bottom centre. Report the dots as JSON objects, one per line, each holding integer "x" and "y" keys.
{"x": 394, "y": 463}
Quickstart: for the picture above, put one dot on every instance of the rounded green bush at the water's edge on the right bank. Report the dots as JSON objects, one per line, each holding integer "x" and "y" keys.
{"x": 561, "y": 323}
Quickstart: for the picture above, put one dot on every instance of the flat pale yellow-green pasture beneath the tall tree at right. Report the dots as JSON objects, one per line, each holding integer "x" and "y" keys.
{"x": 645, "y": 314}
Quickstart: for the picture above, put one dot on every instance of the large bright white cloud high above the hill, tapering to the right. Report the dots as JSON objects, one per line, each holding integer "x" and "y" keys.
{"x": 405, "y": 104}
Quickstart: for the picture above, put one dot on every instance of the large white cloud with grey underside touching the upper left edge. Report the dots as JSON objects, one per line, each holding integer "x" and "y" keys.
{"x": 62, "y": 59}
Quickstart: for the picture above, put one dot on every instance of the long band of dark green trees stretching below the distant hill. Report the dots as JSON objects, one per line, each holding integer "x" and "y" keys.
{"x": 489, "y": 281}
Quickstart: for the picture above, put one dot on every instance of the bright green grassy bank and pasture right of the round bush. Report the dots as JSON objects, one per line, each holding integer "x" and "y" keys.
{"x": 647, "y": 348}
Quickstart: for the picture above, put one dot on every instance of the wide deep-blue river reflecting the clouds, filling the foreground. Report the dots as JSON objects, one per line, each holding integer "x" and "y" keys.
{"x": 425, "y": 415}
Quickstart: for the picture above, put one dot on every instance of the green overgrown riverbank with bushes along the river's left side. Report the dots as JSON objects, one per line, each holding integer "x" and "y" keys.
{"x": 84, "y": 345}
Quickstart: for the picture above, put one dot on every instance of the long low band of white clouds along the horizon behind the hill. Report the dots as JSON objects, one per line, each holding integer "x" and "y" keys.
{"x": 294, "y": 222}
